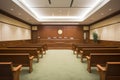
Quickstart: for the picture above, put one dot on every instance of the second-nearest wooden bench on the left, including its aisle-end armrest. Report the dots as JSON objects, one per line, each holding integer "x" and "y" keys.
{"x": 18, "y": 58}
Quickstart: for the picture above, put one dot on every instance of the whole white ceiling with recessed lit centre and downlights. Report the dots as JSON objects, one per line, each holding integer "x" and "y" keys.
{"x": 60, "y": 9}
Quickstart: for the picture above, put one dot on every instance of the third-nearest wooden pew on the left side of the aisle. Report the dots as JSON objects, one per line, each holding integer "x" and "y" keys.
{"x": 31, "y": 51}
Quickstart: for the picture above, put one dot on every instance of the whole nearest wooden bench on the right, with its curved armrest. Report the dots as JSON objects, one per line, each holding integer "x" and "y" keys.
{"x": 109, "y": 72}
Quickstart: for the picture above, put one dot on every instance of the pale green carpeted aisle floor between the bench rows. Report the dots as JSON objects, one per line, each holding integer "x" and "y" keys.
{"x": 59, "y": 65}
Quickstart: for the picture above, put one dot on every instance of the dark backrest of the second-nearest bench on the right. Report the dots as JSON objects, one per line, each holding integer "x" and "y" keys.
{"x": 102, "y": 58}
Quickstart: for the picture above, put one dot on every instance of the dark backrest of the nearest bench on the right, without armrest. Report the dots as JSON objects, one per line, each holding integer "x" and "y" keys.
{"x": 113, "y": 71}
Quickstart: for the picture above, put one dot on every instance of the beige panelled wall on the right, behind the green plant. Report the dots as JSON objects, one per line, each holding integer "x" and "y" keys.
{"x": 108, "y": 29}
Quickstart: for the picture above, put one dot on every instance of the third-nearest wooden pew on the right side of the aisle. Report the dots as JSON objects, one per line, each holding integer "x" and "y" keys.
{"x": 86, "y": 51}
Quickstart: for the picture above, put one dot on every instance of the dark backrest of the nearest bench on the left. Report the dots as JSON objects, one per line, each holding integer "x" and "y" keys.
{"x": 6, "y": 71}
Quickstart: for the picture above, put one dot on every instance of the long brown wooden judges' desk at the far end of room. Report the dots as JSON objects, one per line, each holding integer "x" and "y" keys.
{"x": 59, "y": 43}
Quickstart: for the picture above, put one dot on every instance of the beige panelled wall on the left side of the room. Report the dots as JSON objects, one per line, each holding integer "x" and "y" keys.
{"x": 11, "y": 29}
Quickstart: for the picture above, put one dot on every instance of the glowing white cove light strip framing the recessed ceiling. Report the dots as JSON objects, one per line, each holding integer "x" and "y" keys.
{"x": 24, "y": 4}
